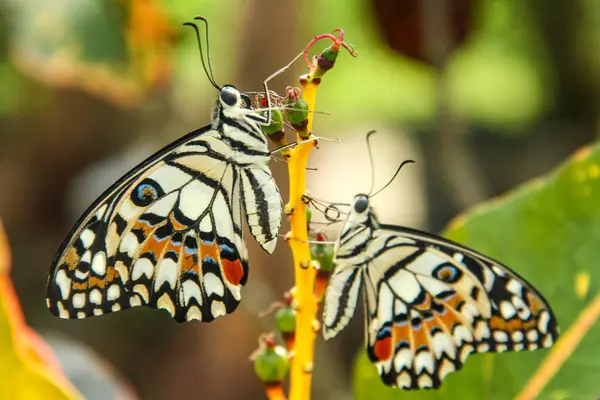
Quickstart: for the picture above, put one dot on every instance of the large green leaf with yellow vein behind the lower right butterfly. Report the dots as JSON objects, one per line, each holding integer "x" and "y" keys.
{"x": 548, "y": 231}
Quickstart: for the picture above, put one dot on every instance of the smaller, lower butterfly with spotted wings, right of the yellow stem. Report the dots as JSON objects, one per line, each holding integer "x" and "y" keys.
{"x": 430, "y": 302}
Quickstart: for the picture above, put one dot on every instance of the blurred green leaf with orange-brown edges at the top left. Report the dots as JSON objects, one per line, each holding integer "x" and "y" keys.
{"x": 113, "y": 49}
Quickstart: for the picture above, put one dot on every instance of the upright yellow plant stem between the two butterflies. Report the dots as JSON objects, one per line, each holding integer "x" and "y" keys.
{"x": 304, "y": 273}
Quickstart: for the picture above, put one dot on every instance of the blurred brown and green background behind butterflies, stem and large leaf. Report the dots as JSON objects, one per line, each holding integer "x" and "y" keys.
{"x": 483, "y": 94}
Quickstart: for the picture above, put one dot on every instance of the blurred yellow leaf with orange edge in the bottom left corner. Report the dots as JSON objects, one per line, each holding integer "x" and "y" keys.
{"x": 28, "y": 369}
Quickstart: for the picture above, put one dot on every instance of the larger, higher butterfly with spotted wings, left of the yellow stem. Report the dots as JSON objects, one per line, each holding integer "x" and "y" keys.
{"x": 168, "y": 234}
